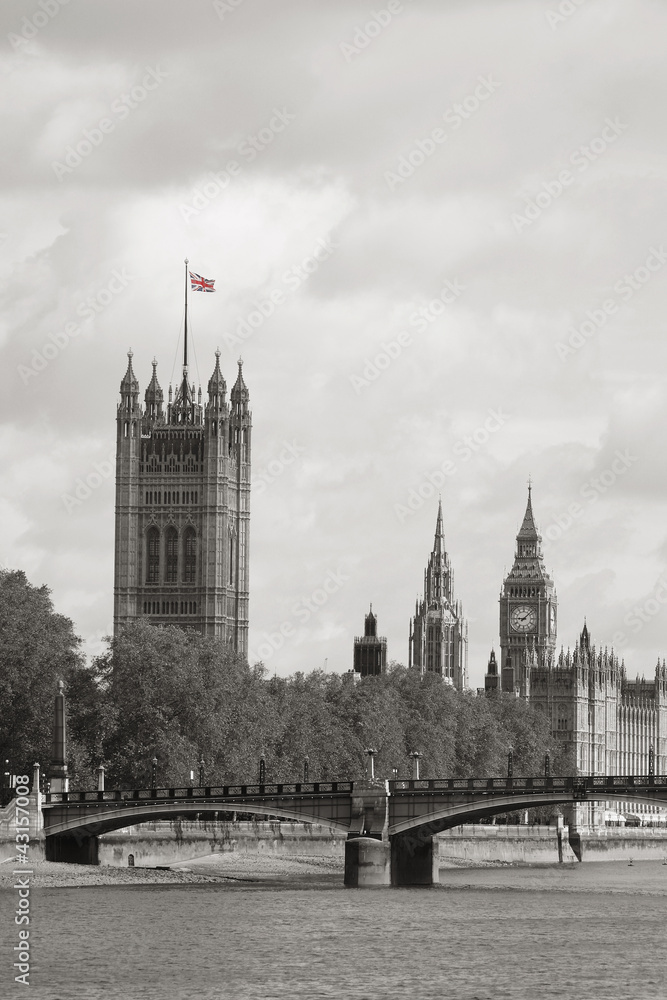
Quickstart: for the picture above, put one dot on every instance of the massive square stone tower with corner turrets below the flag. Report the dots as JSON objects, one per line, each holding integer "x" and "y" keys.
{"x": 183, "y": 506}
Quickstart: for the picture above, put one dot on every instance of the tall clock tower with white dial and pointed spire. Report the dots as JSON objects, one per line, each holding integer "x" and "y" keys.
{"x": 528, "y": 608}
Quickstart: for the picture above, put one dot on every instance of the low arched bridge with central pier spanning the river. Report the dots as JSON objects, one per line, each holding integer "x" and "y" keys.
{"x": 390, "y": 825}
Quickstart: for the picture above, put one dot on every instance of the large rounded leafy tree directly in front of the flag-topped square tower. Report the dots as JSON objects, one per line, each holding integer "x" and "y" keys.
{"x": 180, "y": 697}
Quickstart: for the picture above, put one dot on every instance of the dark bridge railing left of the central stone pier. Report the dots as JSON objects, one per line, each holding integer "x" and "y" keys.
{"x": 209, "y": 792}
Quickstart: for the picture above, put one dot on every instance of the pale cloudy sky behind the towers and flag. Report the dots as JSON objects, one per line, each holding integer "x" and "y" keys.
{"x": 435, "y": 228}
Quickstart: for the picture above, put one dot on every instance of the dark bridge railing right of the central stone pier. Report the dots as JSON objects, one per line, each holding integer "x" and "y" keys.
{"x": 539, "y": 784}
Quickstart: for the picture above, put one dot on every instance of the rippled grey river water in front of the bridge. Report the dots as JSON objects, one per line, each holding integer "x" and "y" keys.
{"x": 575, "y": 932}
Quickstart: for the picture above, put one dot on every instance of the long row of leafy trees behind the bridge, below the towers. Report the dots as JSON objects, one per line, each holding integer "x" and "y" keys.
{"x": 173, "y": 695}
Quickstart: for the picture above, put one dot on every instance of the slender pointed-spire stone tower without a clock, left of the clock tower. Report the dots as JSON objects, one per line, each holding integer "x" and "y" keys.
{"x": 438, "y": 632}
